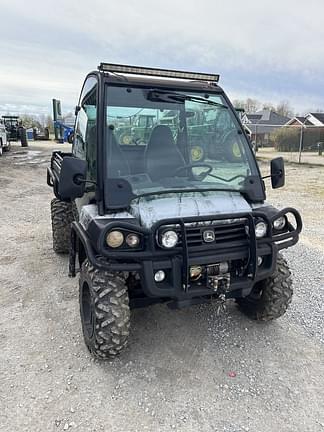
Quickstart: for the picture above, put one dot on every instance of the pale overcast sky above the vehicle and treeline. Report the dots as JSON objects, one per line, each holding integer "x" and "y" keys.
{"x": 269, "y": 50}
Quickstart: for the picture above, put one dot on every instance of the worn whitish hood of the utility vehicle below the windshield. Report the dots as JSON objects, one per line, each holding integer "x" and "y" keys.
{"x": 153, "y": 208}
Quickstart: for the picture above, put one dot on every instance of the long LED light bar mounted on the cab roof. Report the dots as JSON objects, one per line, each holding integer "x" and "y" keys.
{"x": 167, "y": 73}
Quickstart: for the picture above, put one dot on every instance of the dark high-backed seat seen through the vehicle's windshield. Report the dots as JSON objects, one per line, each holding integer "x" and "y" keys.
{"x": 162, "y": 157}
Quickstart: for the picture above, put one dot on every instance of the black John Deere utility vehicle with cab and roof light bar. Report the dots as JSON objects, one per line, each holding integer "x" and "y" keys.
{"x": 145, "y": 223}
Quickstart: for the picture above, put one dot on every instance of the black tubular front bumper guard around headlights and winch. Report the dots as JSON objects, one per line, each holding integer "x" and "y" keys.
{"x": 176, "y": 263}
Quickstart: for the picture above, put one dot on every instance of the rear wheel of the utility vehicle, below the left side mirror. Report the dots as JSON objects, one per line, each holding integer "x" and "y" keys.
{"x": 62, "y": 217}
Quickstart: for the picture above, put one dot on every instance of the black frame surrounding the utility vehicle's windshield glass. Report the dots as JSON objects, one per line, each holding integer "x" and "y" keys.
{"x": 256, "y": 193}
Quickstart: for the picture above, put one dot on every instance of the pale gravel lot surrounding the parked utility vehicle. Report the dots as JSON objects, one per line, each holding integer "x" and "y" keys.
{"x": 184, "y": 370}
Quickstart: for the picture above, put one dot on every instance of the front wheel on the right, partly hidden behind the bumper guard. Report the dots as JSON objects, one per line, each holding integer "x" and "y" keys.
{"x": 271, "y": 297}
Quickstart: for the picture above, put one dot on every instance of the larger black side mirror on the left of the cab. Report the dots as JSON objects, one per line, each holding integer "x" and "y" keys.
{"x": 72, "y": 179}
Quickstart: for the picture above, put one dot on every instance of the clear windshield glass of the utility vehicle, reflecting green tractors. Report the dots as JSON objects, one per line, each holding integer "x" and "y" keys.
{"x": 160, "y": 140}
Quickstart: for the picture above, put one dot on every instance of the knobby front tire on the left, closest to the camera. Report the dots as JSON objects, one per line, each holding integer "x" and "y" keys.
{"x": 104, "y": 310}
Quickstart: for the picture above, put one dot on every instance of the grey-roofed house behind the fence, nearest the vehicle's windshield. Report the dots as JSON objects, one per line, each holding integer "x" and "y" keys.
{"x": 262, "y": 124}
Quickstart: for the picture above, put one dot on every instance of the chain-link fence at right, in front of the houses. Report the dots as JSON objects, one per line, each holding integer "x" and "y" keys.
{"x": 296, "y": 143}
